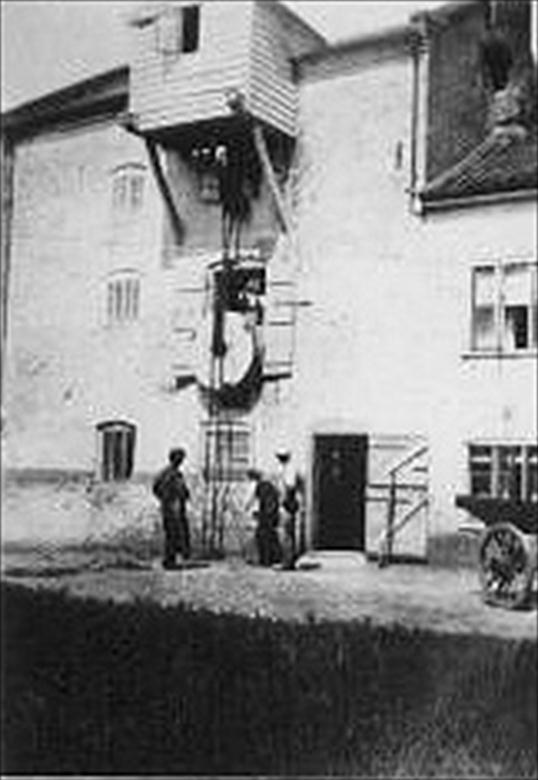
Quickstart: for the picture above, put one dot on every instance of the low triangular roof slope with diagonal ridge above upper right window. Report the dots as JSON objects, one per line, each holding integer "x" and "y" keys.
{"x": 503, "y": 163}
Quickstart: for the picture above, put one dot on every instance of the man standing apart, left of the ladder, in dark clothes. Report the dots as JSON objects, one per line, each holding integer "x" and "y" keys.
{"x": 170, "y": 488}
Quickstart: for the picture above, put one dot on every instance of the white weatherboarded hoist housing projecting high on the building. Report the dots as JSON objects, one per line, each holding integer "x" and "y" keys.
{"x": 188, "y": 58}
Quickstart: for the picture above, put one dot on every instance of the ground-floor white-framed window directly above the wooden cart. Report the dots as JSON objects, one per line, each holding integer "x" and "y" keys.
{"x": 508, "y": 471}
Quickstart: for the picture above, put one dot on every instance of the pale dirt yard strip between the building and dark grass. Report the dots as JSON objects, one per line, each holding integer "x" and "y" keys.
{"x": 342, "y": 588}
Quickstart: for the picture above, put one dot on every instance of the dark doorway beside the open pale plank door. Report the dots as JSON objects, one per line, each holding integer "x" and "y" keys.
{"x": 340, "y": 473}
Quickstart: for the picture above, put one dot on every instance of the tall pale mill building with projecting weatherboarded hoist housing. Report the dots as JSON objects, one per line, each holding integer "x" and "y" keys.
{"x": 386, "y": 194}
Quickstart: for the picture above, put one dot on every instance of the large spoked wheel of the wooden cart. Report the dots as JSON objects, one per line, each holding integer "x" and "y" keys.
{"x": 506, "y": 566}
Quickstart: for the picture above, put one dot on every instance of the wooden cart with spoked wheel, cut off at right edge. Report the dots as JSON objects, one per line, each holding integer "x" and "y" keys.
{"x": 508, "y": 549}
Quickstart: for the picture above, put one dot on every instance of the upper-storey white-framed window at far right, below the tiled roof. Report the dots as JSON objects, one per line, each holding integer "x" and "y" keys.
{"x": 504, "y": 308}
